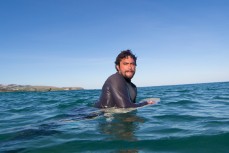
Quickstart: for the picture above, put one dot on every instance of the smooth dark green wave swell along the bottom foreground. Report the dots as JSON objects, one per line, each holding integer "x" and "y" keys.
{"x": 201, "y": 143}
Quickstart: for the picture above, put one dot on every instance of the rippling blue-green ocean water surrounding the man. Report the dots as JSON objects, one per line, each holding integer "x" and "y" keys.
{"x": 188, "y": 119}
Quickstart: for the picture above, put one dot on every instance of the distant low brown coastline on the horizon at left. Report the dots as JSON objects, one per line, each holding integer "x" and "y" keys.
{"x": 24, "y": 88}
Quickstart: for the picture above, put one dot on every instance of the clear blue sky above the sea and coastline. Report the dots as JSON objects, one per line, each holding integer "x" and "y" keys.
{"x": 75, "y": 42}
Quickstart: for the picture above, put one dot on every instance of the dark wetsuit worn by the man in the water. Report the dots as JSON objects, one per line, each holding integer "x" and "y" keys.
{"x": 118, "y": 92}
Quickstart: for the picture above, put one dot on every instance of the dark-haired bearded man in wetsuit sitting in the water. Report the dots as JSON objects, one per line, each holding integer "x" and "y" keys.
{"x": 118, "y": 90}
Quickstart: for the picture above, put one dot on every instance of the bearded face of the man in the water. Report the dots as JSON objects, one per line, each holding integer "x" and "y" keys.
{"x": 127, "y": 67}
